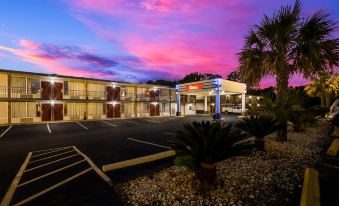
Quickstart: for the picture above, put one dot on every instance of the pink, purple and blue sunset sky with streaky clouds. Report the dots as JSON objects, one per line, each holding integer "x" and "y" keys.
{"x": 134, "y": 40}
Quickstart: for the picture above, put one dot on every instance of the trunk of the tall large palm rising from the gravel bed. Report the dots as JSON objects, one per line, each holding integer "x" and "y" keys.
{"x": 282, "y": 92}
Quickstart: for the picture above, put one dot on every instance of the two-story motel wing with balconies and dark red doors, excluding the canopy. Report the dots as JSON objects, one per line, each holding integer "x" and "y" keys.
{"x": 31, "y": 97}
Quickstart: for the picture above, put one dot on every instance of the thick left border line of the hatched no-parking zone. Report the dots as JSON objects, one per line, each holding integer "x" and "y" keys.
{"x": 10, "y": 192}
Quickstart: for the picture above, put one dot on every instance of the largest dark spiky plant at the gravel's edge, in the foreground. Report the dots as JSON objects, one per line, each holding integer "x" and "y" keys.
{"x": 201, "y": 144}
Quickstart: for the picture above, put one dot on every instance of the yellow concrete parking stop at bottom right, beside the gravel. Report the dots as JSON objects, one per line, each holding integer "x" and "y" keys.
{"x": 311, "y": 191}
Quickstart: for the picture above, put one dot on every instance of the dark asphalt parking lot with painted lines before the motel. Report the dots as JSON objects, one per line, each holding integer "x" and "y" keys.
{"x": 59, "y": 151}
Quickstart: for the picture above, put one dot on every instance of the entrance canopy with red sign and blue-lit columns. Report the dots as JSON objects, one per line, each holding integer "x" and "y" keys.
{"x": 213, "y": 87}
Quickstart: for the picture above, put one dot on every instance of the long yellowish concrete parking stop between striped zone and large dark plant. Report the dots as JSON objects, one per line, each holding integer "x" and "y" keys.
{"x": 137, "y": 161}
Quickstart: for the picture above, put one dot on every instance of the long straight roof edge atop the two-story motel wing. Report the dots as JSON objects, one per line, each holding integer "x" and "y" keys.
{"x": 80, "y": 78}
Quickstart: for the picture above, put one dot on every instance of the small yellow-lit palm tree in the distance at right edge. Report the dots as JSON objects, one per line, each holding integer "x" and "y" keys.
{"x": 326, "y": 88}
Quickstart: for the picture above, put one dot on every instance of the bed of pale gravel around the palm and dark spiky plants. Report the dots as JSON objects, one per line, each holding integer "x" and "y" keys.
{"x": 273, "y": 177}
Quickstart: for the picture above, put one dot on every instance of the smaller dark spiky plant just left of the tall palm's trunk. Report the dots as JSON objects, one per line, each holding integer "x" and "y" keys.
{"x": 259, "y": 126}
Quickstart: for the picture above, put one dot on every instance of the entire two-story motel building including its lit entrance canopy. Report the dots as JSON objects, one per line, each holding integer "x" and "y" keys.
{"x": 32, "y": 97}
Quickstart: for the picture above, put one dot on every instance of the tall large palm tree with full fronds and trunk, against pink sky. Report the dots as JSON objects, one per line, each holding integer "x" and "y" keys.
{"x": 286, "y": 44}
